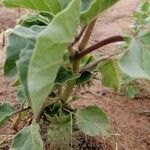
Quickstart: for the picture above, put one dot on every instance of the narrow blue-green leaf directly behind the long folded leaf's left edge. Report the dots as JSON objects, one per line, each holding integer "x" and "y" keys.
{"x": 30, "y": 35}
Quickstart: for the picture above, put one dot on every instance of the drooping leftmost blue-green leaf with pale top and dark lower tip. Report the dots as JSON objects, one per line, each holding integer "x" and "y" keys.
{"x": 19, "y": 38}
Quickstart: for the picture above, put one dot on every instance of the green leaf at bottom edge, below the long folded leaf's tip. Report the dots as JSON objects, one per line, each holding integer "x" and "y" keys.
{"x": 28, "y": 139}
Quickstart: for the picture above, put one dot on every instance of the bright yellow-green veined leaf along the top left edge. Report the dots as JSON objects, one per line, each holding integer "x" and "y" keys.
{"x": 52, "y": 6}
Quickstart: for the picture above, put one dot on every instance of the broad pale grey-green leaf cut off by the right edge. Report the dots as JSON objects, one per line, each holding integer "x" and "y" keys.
{"x": 135, "y": 62}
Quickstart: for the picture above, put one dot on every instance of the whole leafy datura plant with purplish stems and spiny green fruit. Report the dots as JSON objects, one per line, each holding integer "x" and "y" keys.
{"x": 48, "y": 58}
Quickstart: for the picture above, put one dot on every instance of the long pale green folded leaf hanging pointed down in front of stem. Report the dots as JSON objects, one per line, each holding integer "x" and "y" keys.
{"x": 48, "y": 53}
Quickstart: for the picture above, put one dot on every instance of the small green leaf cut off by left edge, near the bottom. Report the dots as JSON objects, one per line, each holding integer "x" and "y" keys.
{"x": 6, "y": 110}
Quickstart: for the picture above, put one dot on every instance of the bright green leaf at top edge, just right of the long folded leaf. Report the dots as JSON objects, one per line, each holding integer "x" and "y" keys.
{"x": 96, "y": 7}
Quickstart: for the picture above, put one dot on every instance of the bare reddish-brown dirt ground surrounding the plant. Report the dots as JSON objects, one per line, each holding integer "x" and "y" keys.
{"x": 131, "y": 129}
